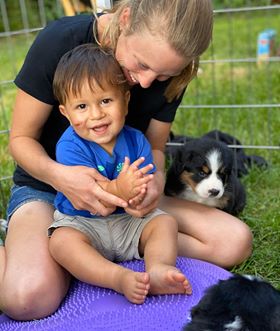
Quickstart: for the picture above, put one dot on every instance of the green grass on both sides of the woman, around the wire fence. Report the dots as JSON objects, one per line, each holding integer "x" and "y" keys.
{"x": 237, "y": 83}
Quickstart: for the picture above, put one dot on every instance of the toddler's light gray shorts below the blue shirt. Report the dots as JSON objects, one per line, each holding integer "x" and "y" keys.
{"x": 116, "y": 237}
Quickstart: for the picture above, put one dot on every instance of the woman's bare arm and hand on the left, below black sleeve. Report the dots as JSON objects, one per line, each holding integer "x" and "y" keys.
{"x": 77, "y": 183}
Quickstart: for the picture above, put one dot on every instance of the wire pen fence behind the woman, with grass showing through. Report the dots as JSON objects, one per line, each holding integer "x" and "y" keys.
{"x": 251, "y": 87}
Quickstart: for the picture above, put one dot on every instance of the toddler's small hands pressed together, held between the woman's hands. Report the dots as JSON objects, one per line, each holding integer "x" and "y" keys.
{"x": 132, "y": 181}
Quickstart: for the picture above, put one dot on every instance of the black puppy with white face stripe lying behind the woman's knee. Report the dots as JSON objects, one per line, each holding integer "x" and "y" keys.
{"x": 202, "y": 171}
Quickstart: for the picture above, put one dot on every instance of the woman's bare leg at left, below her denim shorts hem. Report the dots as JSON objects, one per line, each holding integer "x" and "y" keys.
{"x": 32, "y": 284}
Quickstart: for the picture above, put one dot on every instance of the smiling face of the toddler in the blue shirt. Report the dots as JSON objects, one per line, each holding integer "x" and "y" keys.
{"x": 97, "y": 115}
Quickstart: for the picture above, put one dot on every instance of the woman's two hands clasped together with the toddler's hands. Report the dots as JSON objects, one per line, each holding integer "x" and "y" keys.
{"x": 85, "y": 187}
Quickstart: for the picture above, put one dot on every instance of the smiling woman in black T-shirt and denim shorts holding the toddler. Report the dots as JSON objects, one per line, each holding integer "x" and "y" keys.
{"x": 157, "y": 43}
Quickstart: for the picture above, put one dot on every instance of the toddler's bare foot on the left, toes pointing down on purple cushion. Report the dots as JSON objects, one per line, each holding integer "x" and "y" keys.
{"x": 133, "y": 285}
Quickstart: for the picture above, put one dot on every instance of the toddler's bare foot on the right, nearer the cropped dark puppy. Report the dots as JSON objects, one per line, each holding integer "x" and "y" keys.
{"x": 166, "y": 279}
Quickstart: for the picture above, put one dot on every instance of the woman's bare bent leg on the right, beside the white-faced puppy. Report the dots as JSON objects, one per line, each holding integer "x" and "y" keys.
{"x": 209, "y": 234}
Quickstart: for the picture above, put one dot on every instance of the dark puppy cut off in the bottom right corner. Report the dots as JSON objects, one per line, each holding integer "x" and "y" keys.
{"x": 240, "y": 303}
